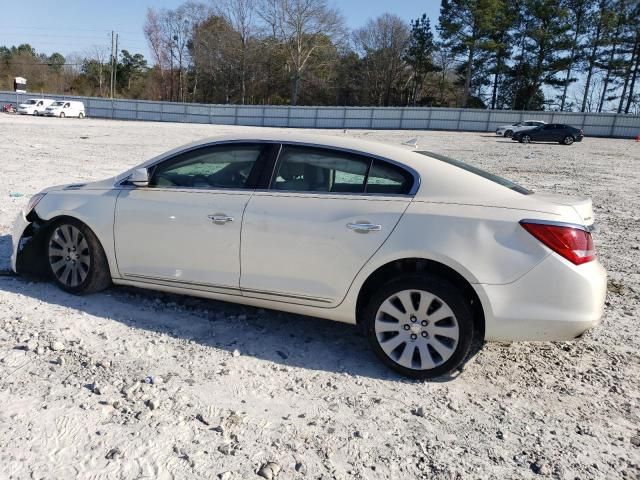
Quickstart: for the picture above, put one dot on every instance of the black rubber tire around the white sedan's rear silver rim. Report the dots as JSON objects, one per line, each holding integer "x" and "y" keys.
{"x": 451, "y": 295}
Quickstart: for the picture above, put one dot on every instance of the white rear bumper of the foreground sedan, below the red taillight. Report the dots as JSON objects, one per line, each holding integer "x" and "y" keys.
{"x": 555, "y": 301}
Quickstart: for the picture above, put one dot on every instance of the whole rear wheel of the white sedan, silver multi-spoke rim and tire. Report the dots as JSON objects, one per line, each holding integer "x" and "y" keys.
{"x": 419, "y": 326}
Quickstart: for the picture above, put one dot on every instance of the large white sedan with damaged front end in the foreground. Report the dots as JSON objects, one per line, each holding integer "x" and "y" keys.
{"x": 426, "y": 253}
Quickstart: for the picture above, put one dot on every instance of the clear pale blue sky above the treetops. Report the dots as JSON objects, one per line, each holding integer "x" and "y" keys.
{"x": 76, "y": 26}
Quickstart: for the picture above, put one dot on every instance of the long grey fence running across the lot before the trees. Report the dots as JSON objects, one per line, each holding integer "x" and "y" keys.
{"x": 379, "y": 118}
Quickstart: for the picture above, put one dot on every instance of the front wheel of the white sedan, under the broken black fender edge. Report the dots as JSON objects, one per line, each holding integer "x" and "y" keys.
{"x": 93, "y": 275}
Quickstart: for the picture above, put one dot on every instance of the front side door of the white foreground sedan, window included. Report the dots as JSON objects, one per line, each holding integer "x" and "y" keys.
{"x": 184, "y": 228}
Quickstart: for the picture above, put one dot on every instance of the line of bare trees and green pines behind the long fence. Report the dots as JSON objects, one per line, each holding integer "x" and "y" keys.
{"x": 563, "y": 55}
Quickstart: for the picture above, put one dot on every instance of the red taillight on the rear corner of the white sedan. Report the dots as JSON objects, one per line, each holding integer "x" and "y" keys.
{"x": 574, "y": 244}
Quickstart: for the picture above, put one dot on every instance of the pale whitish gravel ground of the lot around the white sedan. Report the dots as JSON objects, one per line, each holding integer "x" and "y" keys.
{"x": 304, "y": 393}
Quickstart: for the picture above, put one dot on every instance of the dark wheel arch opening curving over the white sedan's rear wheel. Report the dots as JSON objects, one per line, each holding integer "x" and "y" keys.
{"x": 417, "y": 265}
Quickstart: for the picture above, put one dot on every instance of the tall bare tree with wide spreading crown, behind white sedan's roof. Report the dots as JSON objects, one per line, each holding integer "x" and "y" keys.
{"x": 303, "y": 27}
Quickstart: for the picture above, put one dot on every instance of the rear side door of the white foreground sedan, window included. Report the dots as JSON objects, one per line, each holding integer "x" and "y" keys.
{"x": 323, "y": 215}
